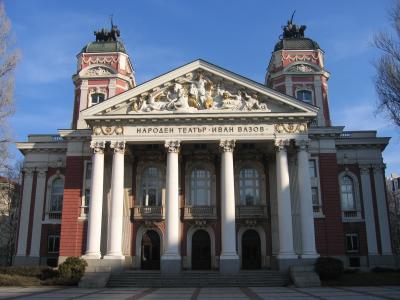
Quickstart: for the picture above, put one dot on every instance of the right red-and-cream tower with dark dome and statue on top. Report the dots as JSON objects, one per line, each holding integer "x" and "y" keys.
{"x": 297, "y": 69}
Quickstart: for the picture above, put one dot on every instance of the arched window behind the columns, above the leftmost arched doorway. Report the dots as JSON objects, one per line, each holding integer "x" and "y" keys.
{"x": 152, "y": 184}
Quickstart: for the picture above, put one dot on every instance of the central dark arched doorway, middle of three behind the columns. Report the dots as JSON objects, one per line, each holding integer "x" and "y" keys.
{"x": 201, "y": 250}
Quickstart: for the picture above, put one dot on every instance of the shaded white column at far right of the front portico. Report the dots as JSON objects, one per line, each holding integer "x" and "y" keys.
{"x": 305, "y": 197}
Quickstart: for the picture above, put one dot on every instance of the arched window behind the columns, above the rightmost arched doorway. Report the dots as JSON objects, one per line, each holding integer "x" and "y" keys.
{"x": 249, "y": 185}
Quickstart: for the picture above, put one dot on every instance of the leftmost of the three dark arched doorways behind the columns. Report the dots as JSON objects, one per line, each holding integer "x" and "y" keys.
{"x": 150, "y": 259}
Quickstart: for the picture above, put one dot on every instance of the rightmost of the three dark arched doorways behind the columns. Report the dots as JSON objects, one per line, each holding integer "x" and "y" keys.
{"x": 251, "y": 250}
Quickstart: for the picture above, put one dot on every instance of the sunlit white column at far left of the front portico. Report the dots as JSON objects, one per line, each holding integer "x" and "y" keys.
{"x": 96, "y": 202}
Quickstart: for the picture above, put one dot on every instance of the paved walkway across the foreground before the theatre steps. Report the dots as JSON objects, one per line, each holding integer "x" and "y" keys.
{"x": 342, "y": 293}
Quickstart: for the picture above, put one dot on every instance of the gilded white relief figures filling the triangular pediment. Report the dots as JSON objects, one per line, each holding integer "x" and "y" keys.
{"x": 195, "y": 92}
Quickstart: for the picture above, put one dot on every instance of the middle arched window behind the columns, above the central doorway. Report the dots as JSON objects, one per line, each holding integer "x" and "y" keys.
{"x": 200, "y": 187}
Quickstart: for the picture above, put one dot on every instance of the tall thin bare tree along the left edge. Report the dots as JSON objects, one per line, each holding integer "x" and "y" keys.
{"x": 8, "y": 61}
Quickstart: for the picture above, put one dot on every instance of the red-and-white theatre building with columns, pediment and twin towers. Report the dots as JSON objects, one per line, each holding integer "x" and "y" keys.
{"x": 201, "y": 168}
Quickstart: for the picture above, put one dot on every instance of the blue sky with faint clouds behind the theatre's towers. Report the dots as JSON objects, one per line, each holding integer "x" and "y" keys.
{"x": 162, "y": 35}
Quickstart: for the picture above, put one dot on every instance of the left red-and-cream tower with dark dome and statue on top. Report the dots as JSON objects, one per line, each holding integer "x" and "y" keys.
{"x": 104, "y": 70}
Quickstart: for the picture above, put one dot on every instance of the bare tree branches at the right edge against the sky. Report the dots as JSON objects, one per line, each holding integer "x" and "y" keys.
{"x": 388, "y": 68}
